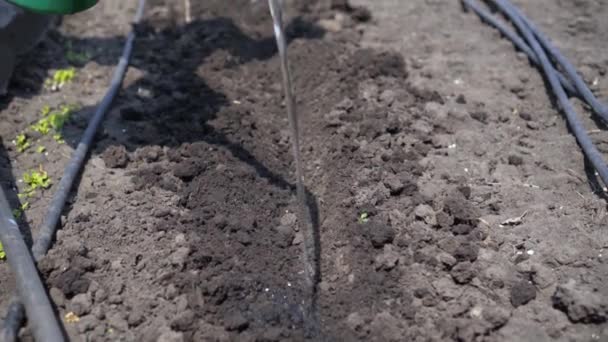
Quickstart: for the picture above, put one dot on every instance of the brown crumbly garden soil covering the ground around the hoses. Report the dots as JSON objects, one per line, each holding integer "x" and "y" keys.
{"x": 452, "y": 203}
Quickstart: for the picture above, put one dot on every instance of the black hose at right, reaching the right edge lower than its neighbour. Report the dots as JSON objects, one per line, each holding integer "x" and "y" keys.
{"x": 589, "y": 149}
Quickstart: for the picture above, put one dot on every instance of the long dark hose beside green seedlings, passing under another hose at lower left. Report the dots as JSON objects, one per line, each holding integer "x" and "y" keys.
{"x": 48, "y": 229}
